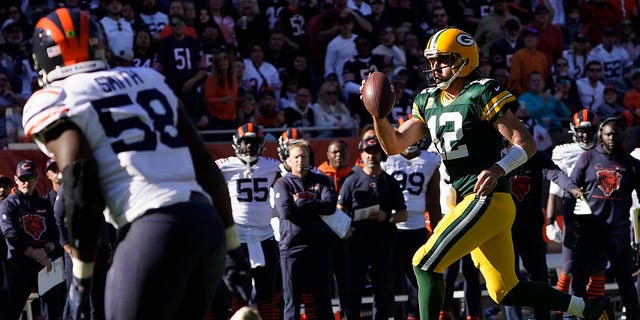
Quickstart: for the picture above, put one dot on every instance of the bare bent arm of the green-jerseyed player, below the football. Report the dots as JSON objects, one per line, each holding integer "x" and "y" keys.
{"x": 394, "y": 141}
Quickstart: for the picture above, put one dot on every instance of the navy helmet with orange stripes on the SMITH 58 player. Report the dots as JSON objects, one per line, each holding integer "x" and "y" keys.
{"x": 66, "y": 42}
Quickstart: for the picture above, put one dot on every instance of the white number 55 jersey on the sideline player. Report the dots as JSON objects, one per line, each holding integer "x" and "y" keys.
{"x": 249, "y": 189}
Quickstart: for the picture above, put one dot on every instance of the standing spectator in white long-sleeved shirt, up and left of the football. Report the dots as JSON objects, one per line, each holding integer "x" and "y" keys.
{"x": 341, "y": 48}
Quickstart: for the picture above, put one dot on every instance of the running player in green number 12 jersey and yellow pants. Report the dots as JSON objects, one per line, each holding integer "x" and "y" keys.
{"x": 467, "y": 118}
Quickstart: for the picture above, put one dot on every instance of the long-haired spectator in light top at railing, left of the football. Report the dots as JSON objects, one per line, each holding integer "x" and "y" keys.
{"x": 329, "y": 111}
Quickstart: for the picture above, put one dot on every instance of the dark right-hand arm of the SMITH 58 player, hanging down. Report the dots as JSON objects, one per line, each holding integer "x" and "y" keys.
{"x": 208, "y": 174}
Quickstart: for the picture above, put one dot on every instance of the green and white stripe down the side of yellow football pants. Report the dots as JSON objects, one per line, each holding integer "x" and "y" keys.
{"x": 455, "y": 231}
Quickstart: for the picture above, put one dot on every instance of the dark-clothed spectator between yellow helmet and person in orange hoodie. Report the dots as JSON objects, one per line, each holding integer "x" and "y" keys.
{"x": 502, "y": 50}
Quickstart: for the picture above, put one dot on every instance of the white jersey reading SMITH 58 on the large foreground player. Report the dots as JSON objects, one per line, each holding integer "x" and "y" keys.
{"x": 129, "y": 117}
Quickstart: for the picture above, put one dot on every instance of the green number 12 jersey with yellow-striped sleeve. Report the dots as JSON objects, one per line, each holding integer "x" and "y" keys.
{"x": 463, "y": 132}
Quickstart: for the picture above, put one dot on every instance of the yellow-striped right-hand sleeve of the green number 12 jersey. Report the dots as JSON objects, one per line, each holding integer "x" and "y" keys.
{"x": 494, "y": 99}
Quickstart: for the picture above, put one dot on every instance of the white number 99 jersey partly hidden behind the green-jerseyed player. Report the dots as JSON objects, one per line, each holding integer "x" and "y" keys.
{"x": 413, "y": 176}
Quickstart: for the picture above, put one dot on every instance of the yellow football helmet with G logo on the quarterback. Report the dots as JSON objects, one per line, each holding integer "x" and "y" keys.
{"x": 459, "y": 46}
